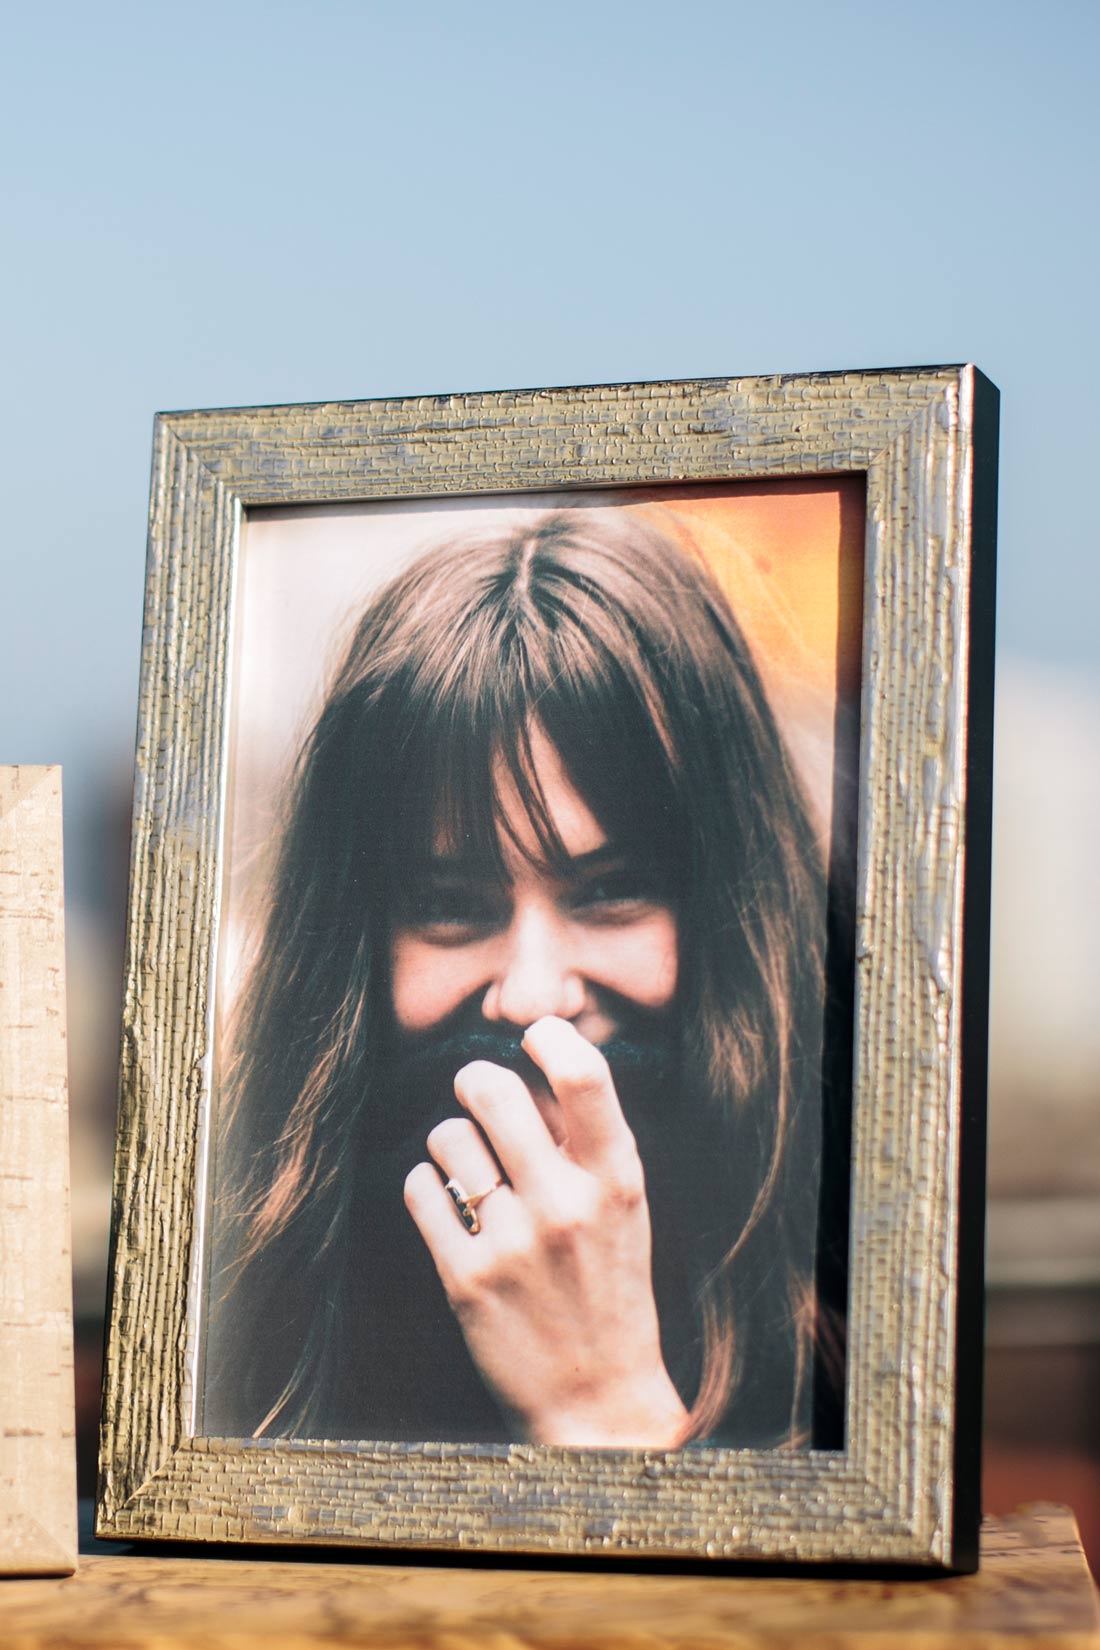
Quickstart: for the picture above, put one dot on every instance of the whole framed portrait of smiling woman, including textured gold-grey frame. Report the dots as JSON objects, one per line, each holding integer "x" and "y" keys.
{"x": 624, "y": 755}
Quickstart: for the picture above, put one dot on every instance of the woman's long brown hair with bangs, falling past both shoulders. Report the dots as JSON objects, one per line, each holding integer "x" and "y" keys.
{"x": 621, "y": 648}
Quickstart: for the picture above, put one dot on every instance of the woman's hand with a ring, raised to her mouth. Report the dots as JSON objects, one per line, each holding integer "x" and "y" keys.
{"x": 555, "y": 1293}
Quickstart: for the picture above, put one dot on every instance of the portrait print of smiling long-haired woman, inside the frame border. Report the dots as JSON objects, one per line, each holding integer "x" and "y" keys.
{"x": 535, "y": 971}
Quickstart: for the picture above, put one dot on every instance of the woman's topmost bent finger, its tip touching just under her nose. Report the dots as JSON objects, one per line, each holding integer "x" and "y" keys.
{"x": 581, "y": 1080}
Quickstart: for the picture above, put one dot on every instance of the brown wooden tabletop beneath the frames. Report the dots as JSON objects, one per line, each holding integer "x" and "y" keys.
{"x": 1033, "y": 1590}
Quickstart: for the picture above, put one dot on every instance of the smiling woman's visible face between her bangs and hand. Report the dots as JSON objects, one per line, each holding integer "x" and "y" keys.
{"x": 590, "y": 940}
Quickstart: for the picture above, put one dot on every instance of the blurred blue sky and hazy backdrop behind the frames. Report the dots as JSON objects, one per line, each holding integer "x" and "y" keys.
{"x": 258, "y": 200}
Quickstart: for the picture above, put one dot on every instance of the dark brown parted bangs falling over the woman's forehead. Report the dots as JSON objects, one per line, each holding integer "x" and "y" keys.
{"x": 468, "y": 781}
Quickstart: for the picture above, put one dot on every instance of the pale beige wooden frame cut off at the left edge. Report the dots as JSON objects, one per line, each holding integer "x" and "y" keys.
{"x": 37, "y": 1412}
